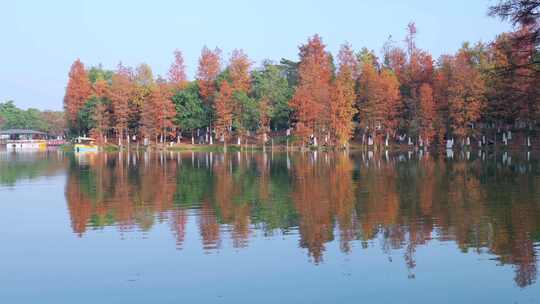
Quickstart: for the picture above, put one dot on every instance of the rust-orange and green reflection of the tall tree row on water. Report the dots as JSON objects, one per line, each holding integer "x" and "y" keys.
{"x": 481, "y": 205}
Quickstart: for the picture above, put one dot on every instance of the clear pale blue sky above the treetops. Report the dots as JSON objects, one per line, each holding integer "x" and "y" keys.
{"x": 40, "y": 39}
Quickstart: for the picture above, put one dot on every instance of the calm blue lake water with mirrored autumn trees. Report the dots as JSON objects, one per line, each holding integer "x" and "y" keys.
{"x": 269, "y": 228}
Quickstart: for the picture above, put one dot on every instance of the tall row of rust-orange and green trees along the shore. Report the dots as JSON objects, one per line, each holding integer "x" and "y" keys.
{"x": 476, "y": 96}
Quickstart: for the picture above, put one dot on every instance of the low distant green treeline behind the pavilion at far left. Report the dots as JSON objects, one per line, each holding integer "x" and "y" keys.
{"x": 11, "y": 117}
